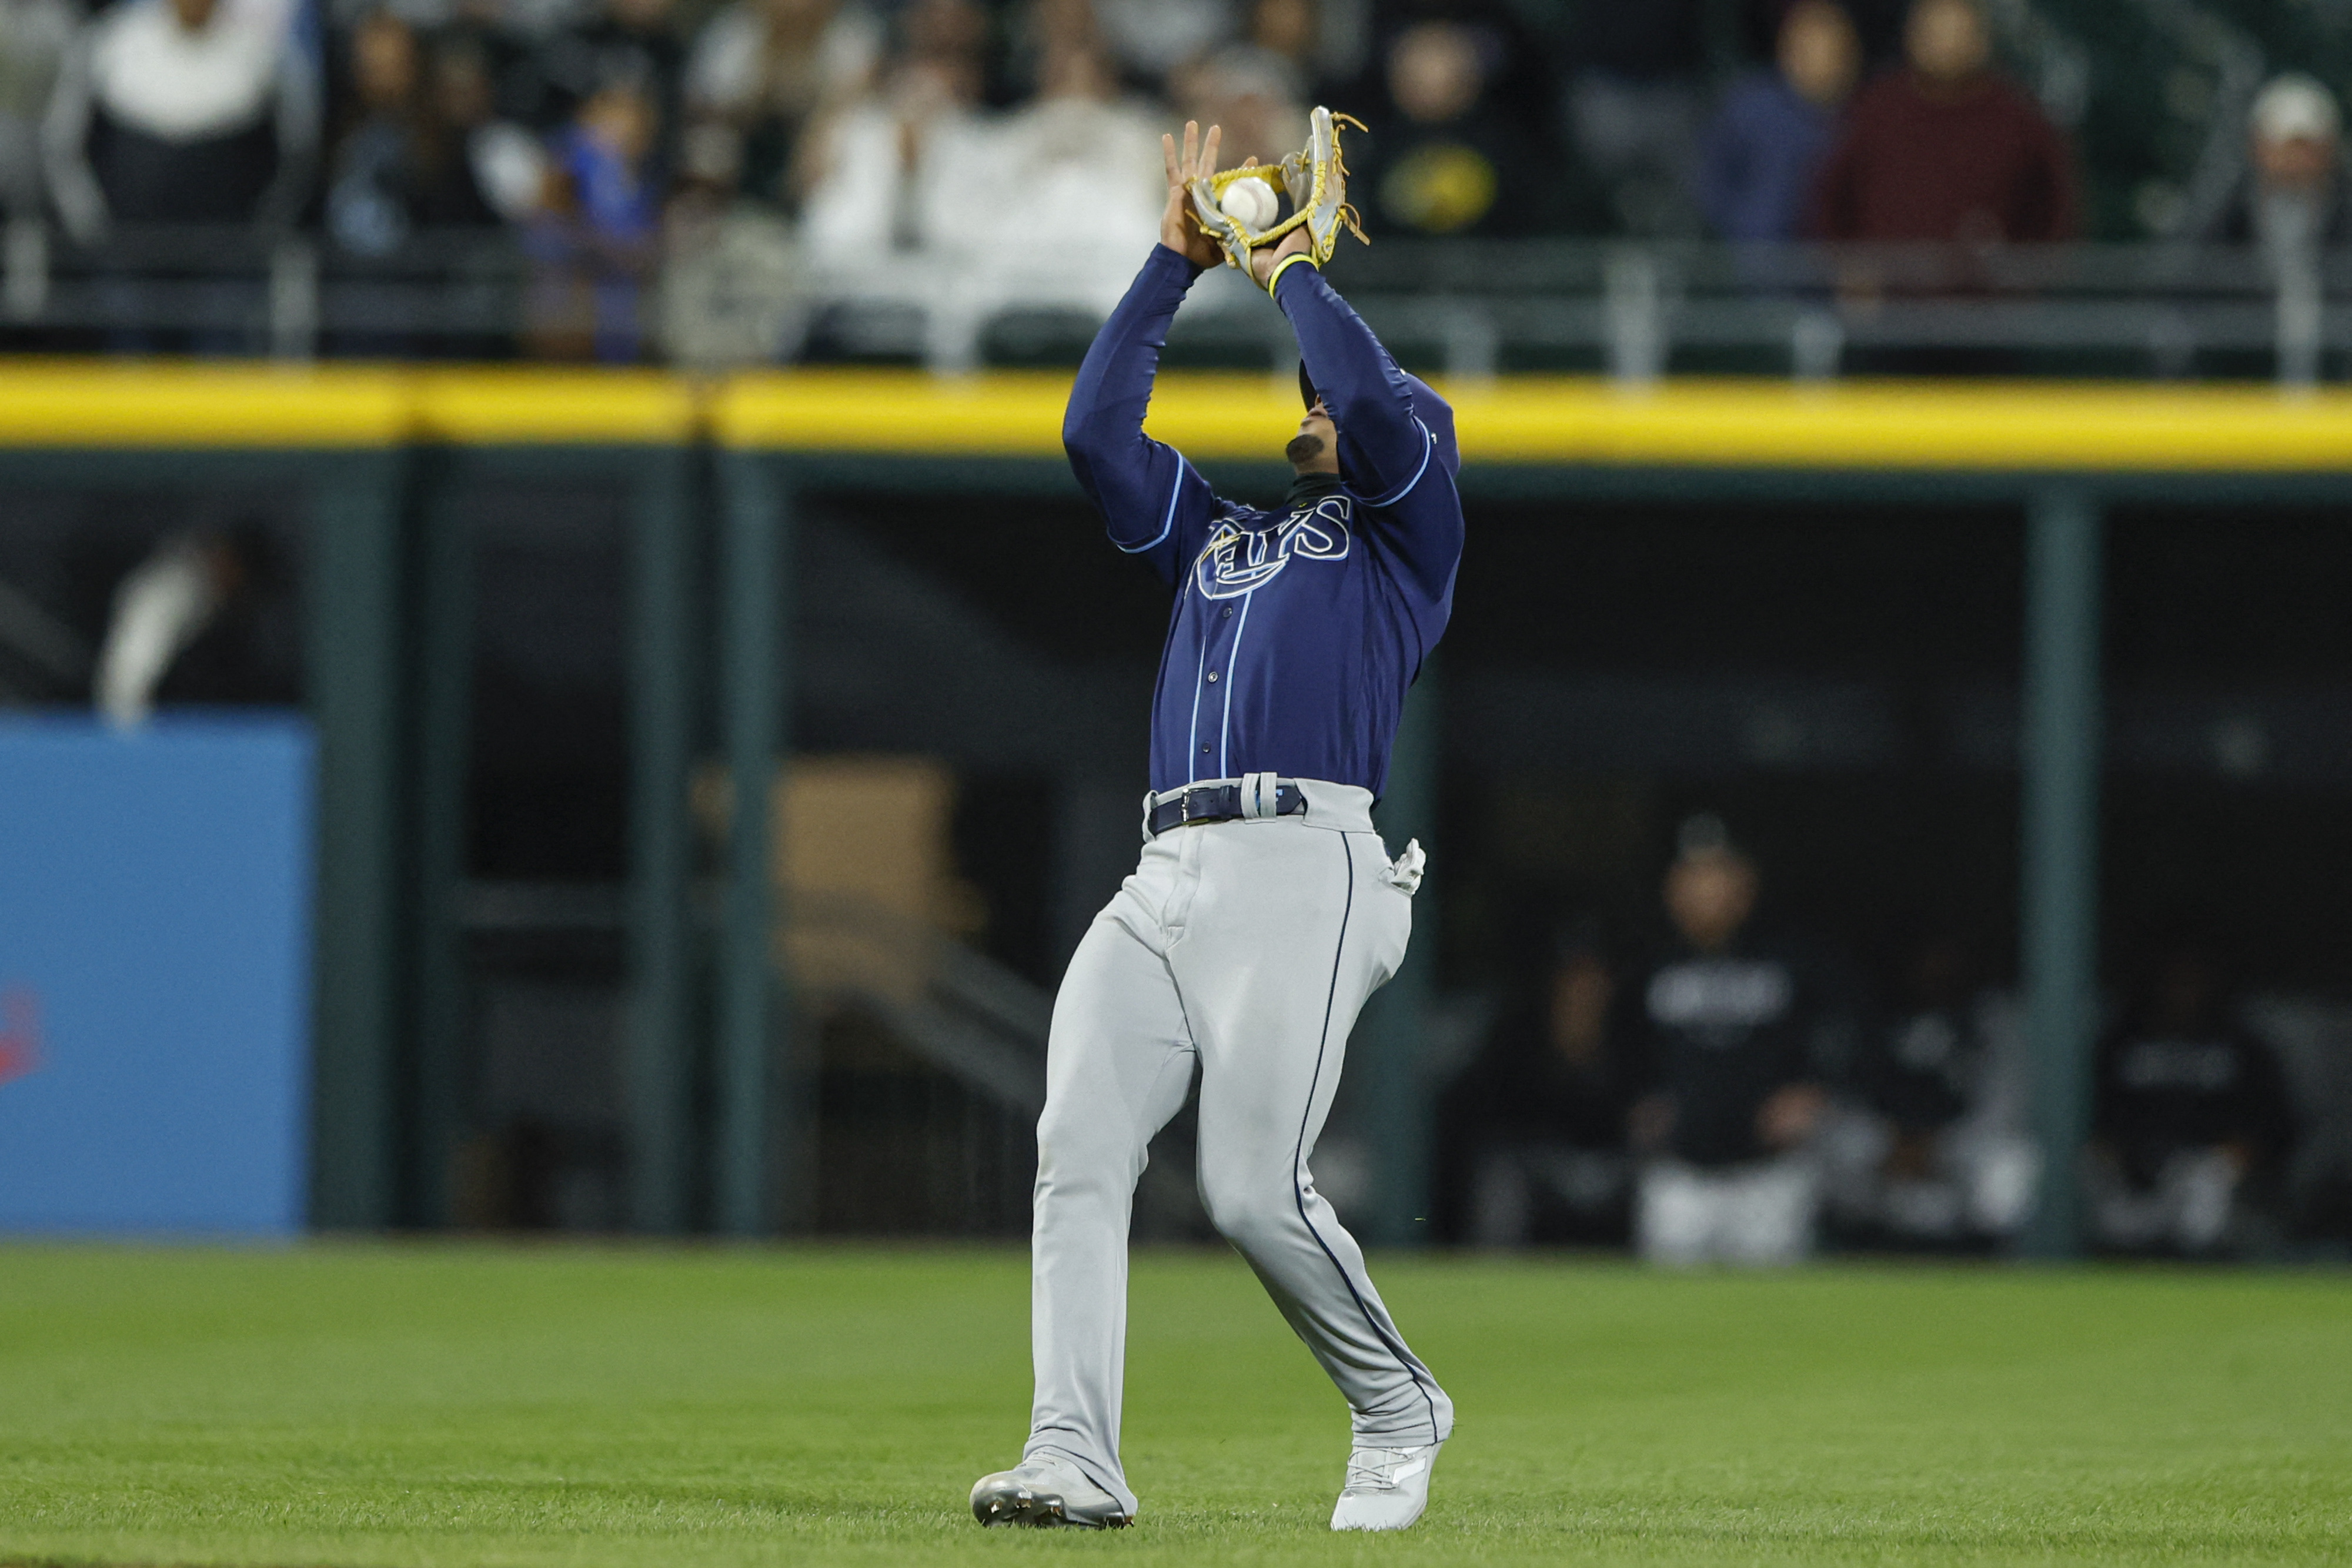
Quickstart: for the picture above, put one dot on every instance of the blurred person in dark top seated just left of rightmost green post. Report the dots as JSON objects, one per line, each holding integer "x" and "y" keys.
{"x": 1951, "y": 1162}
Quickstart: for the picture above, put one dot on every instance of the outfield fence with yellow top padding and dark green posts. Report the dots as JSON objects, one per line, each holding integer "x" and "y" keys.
{"x": 711, "y": 471}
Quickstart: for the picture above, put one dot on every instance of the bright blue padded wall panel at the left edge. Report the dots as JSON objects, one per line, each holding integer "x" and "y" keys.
{"x": 154, "y": 974}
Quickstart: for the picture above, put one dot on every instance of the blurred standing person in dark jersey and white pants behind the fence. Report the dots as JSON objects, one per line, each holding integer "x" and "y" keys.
{"x": 1737, "y": 1094}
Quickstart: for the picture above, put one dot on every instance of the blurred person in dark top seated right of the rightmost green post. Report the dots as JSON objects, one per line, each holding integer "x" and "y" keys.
{"x": 2191, "y": 1113}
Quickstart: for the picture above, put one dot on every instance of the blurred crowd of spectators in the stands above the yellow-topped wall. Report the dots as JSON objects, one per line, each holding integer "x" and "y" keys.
{"x": 770, "y": 180}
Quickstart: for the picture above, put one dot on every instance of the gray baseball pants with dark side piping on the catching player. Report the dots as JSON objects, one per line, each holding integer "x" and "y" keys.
{"x": 1238, "y": 951}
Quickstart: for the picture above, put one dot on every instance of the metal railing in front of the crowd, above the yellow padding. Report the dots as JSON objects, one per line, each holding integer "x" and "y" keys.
{"x": 1466, "y": 309}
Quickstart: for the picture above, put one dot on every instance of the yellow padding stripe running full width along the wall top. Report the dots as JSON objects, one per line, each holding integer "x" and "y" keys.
{"x": 1568, "y": 422}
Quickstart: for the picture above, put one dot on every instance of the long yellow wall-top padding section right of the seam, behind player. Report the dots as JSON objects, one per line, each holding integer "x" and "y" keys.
{"x": 1584, "y": 422}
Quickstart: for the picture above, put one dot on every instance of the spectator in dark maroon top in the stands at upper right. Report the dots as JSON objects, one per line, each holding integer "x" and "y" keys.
{"x": 1946, "y": 152}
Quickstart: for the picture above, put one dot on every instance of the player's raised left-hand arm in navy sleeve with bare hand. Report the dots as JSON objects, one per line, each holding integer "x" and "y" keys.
{"x": 1147, "y": 492}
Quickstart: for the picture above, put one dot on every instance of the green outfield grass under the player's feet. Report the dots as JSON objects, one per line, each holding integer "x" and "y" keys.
{"x": 446, "y": 1407}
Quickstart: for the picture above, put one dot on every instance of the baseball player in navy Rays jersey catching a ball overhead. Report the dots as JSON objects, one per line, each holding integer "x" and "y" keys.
{"x": 1264, "y": 909}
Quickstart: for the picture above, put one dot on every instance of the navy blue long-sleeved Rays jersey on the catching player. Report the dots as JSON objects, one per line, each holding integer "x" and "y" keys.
{"x": 1295, "y": 634}
